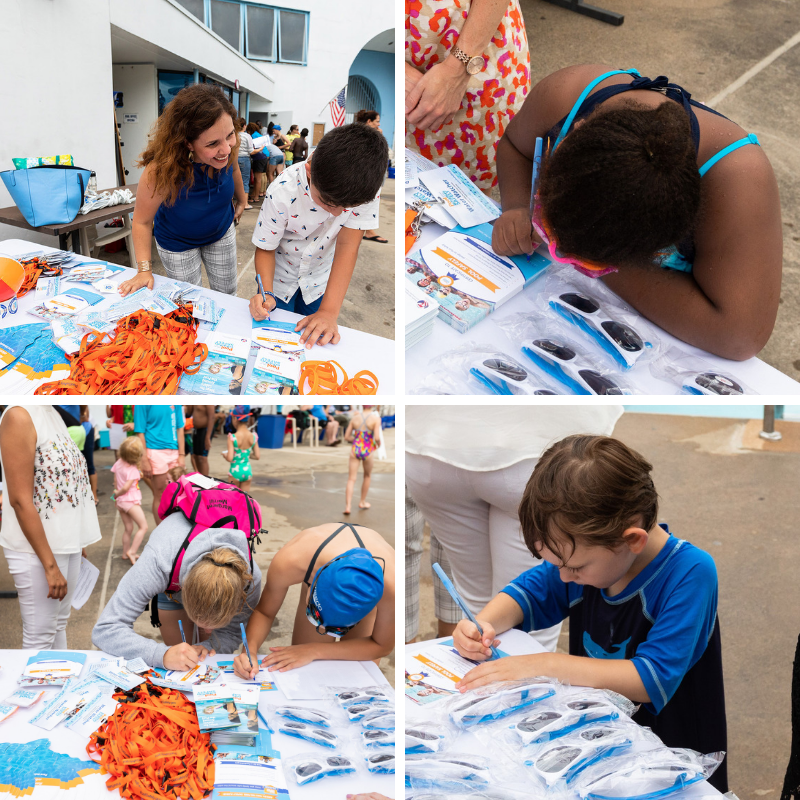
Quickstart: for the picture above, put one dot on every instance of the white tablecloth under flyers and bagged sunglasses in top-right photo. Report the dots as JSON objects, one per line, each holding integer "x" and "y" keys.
{"x": 760, "y": 377}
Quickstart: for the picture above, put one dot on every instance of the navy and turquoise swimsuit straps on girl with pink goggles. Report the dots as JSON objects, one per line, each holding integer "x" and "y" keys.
{"x": 681, "y": 256}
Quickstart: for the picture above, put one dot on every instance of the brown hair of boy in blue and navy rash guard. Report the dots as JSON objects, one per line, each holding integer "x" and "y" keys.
{"x": 587, "y": 487}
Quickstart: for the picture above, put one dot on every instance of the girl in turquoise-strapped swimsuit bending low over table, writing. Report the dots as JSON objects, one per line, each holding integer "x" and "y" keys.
{"x": 674, "y": 205}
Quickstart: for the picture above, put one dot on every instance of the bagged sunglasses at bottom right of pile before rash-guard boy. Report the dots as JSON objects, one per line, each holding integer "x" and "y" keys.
{"x": 648, "y": 775}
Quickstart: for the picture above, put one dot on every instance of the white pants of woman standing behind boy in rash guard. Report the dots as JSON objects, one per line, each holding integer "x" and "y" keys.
{"x": 474, "y": 517}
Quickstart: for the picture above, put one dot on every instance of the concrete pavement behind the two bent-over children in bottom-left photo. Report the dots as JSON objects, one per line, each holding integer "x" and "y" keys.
{"x": 295, "y": 488}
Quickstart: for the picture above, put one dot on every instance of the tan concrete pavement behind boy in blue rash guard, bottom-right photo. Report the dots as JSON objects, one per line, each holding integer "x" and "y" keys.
{"x": 740, "y": 505}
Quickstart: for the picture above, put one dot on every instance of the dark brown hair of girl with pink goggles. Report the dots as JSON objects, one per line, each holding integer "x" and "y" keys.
{"x": 624, "y": 185}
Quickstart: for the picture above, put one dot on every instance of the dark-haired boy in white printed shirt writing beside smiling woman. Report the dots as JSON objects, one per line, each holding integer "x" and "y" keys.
{"x": 311, "y": 225}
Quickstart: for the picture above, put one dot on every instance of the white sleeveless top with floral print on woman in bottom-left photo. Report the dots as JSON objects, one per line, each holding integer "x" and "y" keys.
{"x": 61, "y": 491}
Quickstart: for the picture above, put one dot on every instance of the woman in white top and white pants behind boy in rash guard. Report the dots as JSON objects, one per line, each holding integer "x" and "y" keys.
{"x": 466, "y": 468}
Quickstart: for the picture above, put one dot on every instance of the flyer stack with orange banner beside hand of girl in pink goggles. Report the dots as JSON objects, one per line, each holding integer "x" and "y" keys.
{"x": 467, "y": 278}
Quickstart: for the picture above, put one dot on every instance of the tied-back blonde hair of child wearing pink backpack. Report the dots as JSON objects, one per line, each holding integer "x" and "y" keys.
{"x": 215, "y": 590}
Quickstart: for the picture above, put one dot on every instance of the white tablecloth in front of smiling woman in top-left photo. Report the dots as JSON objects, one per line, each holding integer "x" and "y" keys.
{"x": 355, "y": 351}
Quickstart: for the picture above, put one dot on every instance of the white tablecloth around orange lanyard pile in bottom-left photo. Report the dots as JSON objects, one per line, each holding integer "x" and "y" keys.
{"x": 17, "y": 729}
